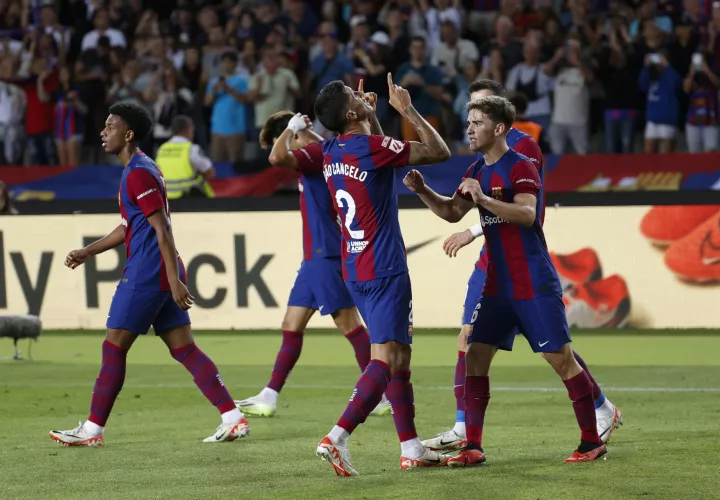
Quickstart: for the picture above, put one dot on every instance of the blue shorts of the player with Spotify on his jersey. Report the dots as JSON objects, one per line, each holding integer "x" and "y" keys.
{"x": 541, "y": 320}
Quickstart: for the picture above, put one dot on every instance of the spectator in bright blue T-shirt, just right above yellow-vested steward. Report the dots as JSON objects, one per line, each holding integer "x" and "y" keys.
{"x": 227, "y": 95}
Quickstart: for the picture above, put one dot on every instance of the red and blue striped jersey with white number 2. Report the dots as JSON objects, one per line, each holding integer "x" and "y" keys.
{"x": 358, "y": 170}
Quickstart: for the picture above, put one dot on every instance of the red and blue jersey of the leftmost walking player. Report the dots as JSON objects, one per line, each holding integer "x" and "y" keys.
{"x": 142, "y": 193}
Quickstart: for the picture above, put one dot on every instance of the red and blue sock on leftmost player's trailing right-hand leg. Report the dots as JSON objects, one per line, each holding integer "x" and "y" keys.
{"x": 205, "y": 375}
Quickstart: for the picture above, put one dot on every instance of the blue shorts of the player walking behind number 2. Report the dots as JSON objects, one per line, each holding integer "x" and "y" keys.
{"x": 319, "y": 286}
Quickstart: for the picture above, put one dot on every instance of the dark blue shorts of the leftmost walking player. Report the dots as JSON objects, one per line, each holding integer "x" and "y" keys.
{"x": 137, "y": 310}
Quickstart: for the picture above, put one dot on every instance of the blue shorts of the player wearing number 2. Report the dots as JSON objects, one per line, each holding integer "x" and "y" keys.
{"x": 386, "y": 306}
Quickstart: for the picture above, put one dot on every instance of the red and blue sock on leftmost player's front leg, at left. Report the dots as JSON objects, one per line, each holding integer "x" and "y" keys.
{"x": 108, "y": 383}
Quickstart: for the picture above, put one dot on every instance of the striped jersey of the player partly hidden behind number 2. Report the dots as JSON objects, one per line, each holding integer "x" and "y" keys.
{"x": 321, "y": 224}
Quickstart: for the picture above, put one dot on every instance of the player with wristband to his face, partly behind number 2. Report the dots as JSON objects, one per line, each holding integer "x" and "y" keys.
{"x": 319, "y": 285}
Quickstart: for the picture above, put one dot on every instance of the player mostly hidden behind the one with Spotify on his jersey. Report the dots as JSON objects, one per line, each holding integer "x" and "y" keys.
{"x": 608, "y": 416}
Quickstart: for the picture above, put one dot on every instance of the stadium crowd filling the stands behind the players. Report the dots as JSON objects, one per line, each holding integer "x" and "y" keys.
{"x": 593, "y": 75}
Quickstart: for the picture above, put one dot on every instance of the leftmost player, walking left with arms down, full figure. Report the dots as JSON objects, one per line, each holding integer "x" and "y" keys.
{"x": 152, "y": 289}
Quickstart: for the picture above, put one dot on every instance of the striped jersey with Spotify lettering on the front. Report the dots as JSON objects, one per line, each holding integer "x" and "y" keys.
{"x": 519, "y": 262}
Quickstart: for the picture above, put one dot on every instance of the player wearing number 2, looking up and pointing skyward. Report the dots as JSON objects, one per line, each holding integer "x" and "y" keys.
{"x": 359, "y": 170}
